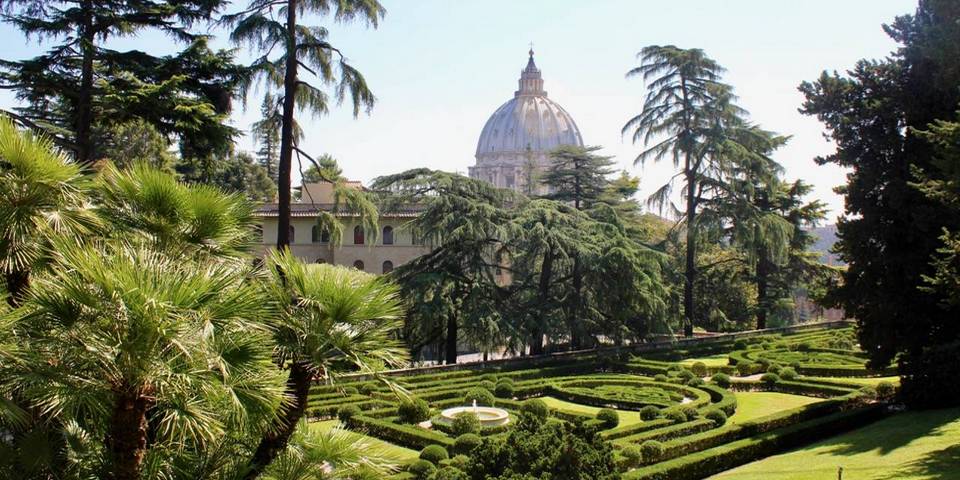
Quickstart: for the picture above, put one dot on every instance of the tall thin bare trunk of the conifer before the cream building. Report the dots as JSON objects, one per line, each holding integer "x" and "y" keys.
{"x": 286, "y": 130}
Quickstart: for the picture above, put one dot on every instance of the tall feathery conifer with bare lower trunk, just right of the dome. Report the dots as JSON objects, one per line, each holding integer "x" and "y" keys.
{"x": 684, "y": 95}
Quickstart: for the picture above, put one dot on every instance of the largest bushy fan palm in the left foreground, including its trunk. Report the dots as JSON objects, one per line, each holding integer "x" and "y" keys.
{"x": 155, "y": 354}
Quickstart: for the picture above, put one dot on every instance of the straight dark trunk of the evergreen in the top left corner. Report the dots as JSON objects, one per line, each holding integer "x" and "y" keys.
{"x": 84, "y": 114}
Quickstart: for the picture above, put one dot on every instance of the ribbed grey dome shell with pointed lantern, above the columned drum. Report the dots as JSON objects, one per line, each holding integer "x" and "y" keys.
{"x": 529, "y": 122}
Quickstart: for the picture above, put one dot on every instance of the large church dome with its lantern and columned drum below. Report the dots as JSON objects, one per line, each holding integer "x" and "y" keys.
{"x": 516, "y": 141}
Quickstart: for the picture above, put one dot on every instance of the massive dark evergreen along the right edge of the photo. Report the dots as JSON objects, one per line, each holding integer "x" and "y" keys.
{"x": 890, "y": 229}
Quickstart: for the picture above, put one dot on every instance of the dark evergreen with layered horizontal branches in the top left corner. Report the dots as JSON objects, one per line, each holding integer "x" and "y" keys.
{"x": 61, "y": 86}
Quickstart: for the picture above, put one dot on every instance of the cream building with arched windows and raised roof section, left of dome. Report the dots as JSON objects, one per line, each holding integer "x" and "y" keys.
{"x": 392, "y": 247}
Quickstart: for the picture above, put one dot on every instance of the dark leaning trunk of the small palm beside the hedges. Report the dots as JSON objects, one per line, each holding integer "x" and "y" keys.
{"x": 275, "y": 440}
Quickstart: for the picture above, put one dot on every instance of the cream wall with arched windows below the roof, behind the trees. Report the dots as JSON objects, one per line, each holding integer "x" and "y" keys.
{"x": 372, "y": 256}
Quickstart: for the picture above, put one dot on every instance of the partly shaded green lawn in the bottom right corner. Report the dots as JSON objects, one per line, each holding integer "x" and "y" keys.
{"x": 908, "y": 446}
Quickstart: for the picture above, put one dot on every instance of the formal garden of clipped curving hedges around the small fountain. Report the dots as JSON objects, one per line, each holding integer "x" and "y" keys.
{"x": 665, "y": 420}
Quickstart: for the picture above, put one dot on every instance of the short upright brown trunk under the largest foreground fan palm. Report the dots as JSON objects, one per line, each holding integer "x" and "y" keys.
{"x": 127, "y": 438}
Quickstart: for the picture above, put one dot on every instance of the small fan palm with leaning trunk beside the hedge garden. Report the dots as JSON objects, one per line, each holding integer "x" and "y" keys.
{"x": 332, "y": 320}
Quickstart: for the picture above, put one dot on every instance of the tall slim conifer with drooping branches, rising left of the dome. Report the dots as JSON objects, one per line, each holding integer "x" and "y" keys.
{"x": 303, "y": 48}
